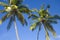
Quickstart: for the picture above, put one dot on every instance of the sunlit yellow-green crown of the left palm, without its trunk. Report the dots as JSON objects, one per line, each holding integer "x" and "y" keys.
{"x": 13, "y": 9}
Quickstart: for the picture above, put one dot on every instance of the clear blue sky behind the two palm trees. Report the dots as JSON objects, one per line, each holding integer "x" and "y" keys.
{"x": 24, "y": 32}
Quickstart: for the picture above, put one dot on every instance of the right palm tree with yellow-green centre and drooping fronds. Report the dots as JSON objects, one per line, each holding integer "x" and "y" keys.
{"x": 44, "y": 19}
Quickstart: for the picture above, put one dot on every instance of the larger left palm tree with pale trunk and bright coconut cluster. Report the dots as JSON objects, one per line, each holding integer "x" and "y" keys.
{"x": 14, "y": 9}
